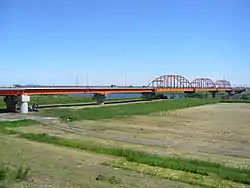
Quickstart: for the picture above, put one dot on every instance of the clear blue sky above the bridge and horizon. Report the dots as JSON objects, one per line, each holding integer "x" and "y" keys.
{"x": 51, "y": 41}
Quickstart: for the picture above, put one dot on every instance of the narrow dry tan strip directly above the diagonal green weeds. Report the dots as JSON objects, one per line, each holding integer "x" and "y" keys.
{"x": 164, "y": 151}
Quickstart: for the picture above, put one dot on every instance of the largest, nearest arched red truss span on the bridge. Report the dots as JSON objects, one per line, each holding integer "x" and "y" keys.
{"x": 170, "y": 81}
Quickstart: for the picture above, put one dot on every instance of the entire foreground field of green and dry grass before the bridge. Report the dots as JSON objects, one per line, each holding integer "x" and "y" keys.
{"x": 206, "y": 146}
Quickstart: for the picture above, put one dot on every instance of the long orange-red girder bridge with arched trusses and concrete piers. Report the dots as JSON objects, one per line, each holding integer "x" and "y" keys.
{"x": 14, "y": 96}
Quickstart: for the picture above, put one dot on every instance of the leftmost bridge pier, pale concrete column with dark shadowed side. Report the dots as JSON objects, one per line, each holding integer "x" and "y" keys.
{"x": 13, "y": 101}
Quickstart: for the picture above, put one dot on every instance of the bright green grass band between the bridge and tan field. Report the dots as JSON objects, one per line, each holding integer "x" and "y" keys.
{"x": 125, "y": 110}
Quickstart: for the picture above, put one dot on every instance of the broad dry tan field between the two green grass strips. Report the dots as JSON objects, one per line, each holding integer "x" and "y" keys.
{"x": 219, "y": 132}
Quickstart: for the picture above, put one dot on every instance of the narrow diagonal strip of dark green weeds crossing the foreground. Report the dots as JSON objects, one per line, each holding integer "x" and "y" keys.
{"x": 187, "y": 165}
